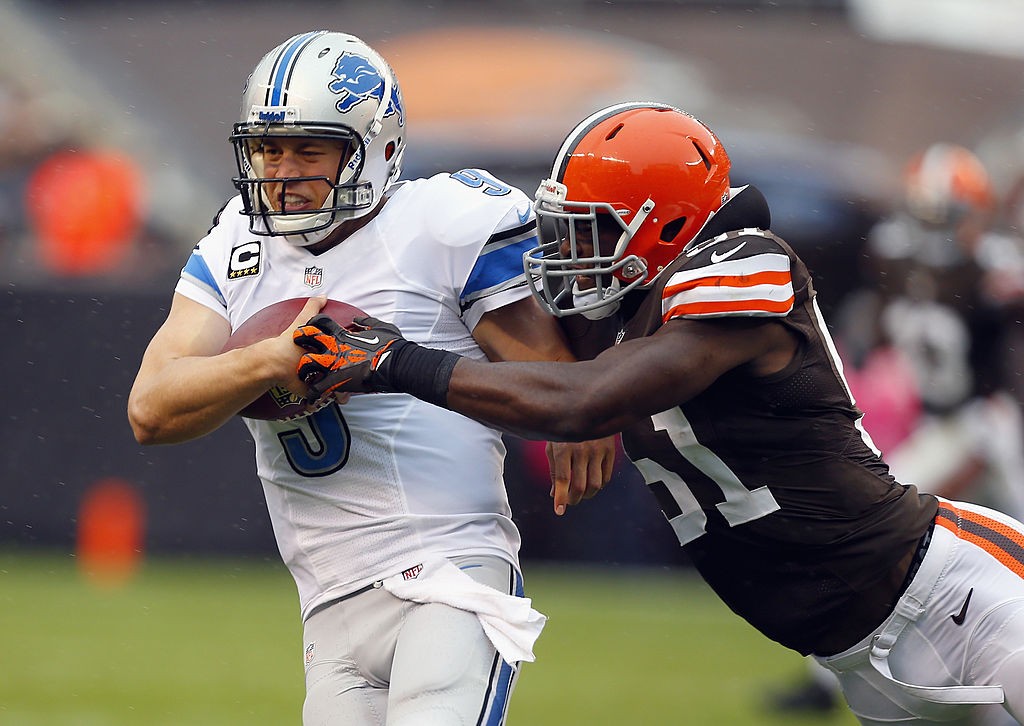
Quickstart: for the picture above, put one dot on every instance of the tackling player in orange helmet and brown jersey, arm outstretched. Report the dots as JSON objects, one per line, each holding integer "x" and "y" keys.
{"x": 701, "y": 341}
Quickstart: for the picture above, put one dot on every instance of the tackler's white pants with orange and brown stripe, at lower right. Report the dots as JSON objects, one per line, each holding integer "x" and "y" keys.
{"x": 956, "y": 639}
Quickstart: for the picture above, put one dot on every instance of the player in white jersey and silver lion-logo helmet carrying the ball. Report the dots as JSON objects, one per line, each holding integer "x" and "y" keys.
{"x": 391, "y": 514}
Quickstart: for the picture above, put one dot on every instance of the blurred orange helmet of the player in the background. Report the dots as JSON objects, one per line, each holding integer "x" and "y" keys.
{"x": 946, "y": 183}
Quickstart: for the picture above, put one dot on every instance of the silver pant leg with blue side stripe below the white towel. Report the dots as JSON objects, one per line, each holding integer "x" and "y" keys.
{"x": 446, "y": 670}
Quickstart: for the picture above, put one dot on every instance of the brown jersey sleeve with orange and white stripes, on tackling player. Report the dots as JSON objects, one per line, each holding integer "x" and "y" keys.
{"x": 746, "y": 275}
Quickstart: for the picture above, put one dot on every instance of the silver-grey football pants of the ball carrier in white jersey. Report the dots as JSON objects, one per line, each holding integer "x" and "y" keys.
{"x": 374, "y": 660}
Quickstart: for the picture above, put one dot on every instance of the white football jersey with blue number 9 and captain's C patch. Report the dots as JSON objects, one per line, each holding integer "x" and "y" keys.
{"x": 366, "y": 490}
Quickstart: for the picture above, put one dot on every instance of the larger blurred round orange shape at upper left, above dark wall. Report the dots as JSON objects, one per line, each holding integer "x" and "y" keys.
{"x": 86, "y": 207}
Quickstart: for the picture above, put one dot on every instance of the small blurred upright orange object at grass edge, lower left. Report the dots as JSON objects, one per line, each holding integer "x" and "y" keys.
{"x": 111, "y": 529}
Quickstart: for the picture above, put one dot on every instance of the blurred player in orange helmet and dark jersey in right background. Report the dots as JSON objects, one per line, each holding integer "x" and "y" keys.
{"x": 929, "y": 339}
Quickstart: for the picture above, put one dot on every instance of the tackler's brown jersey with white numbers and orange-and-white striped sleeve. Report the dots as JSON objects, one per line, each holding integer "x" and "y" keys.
{"x": 772, "y": 486}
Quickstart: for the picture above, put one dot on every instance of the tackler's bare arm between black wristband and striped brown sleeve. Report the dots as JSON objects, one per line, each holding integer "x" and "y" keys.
{"x": 627, "y": 383}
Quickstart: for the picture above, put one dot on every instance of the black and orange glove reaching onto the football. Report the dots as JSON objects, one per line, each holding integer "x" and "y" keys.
{"x": 342, "y": 360}
